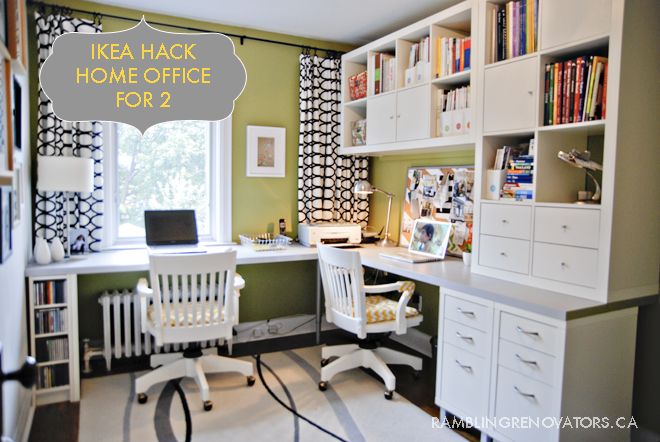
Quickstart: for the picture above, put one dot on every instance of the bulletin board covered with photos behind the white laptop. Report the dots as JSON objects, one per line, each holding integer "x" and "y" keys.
{"x": 443, "y": 193}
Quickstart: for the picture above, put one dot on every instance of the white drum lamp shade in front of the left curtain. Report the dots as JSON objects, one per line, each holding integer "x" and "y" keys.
{"x": 65, "y": 174}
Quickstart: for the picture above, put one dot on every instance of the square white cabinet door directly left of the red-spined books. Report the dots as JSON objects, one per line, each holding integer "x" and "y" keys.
{"x": 510, "y": 96}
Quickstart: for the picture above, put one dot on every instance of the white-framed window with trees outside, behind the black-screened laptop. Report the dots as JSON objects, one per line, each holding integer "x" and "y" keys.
{"x": 174, "y": 165}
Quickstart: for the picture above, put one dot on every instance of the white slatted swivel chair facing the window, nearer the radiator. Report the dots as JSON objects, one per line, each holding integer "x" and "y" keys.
{"x": 192, "y": 299}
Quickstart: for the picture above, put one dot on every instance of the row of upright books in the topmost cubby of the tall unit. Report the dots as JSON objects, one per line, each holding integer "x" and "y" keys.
{"x": 513, "y": 29}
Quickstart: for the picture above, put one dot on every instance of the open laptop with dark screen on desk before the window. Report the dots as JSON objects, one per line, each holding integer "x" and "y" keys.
{"x": 171, "y": 232}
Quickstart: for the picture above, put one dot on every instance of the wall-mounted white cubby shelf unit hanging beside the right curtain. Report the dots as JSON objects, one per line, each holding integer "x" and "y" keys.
{"x": 406, "y": 118}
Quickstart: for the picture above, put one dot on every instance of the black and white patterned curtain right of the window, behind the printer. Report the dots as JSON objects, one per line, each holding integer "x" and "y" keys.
{"x": 325, "y": 178}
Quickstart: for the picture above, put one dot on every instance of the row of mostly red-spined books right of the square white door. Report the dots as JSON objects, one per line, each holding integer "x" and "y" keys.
{"x": 575, "y": 90}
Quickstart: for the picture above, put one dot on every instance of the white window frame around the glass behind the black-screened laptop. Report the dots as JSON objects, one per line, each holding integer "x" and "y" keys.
{"x": 219, "y": 187}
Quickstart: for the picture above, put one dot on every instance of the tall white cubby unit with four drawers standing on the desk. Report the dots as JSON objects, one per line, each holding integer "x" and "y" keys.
{"x": 557, "y": 244}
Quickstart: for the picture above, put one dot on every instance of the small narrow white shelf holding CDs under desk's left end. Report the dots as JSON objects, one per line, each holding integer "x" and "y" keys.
{"x": 53, "y": 322}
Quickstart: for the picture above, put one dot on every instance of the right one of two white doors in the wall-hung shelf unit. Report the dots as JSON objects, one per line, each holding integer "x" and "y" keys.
{"x": 413, "y": 112}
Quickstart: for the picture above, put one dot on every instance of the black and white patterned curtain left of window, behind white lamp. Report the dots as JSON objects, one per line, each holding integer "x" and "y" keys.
{"x": 61, "y": 138}
